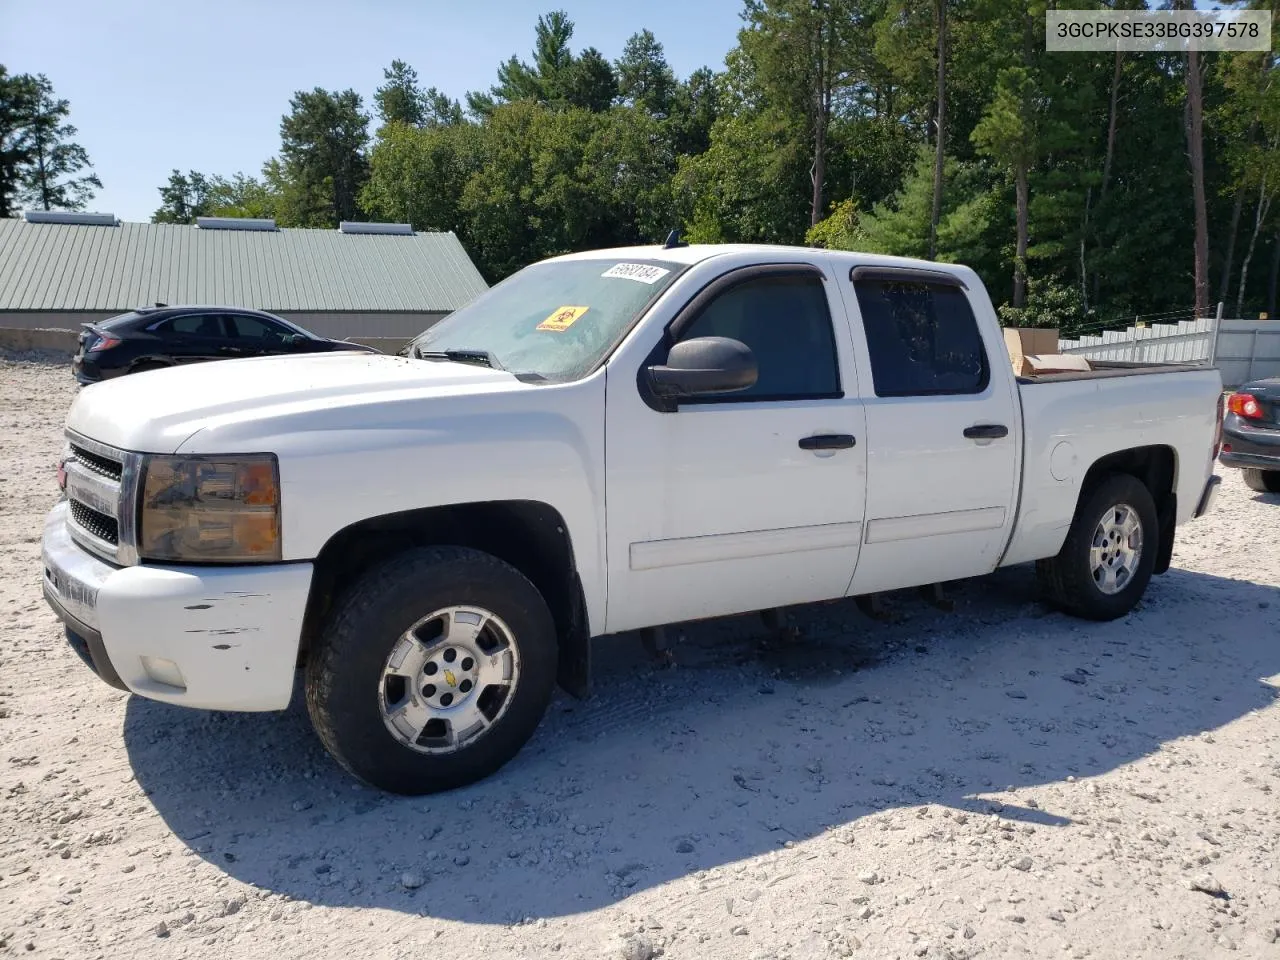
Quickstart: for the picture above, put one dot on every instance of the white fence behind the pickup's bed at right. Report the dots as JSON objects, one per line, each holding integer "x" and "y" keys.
{"x": 1242, "y": 350}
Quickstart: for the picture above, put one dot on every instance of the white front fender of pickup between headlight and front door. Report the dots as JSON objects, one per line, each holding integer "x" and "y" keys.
{"x": 353, "y": 463}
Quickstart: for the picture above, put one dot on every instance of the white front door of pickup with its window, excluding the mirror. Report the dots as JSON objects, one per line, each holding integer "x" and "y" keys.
{"x": 752, "y": 500}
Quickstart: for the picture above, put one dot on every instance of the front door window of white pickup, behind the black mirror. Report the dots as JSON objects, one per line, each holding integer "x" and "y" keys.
{"x": 788, "y": 326}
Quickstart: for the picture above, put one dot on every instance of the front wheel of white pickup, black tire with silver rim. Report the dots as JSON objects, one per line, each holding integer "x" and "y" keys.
{"x": 353, "y": 700}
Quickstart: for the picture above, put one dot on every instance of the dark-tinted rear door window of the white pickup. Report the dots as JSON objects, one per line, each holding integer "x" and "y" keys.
{"x": 922, "y": 339}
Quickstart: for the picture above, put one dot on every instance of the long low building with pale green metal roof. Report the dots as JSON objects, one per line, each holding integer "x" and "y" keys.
{"x": 369, "y": 282}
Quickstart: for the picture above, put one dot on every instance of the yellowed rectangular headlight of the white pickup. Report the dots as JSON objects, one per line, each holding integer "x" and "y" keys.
{"x": 211, "y": 510}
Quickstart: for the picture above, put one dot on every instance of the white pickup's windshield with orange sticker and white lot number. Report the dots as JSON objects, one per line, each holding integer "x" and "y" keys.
{"x": 552, "y": 321}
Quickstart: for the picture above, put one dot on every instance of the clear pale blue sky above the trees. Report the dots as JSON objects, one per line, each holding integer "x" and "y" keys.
{"x": 157, "y": 86}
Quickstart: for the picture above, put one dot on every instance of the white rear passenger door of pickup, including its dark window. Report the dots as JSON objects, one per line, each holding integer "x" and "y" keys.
{"x": 943, "y": 438}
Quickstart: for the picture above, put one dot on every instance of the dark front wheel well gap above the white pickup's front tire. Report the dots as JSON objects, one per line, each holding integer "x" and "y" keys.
{"x": 529, "y": 536}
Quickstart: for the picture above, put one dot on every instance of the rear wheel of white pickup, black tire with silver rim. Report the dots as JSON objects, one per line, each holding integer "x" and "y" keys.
{"x": 1071, "y": 582}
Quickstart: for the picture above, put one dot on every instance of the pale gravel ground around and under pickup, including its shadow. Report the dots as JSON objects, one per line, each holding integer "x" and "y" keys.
{"x": 999, "y": 781}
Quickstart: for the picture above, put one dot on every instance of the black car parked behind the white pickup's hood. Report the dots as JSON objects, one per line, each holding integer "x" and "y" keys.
{"x": 157, "y": 337}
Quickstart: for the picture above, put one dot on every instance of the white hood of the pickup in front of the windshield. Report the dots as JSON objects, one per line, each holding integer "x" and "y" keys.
{"x": 156, "y": 413}
